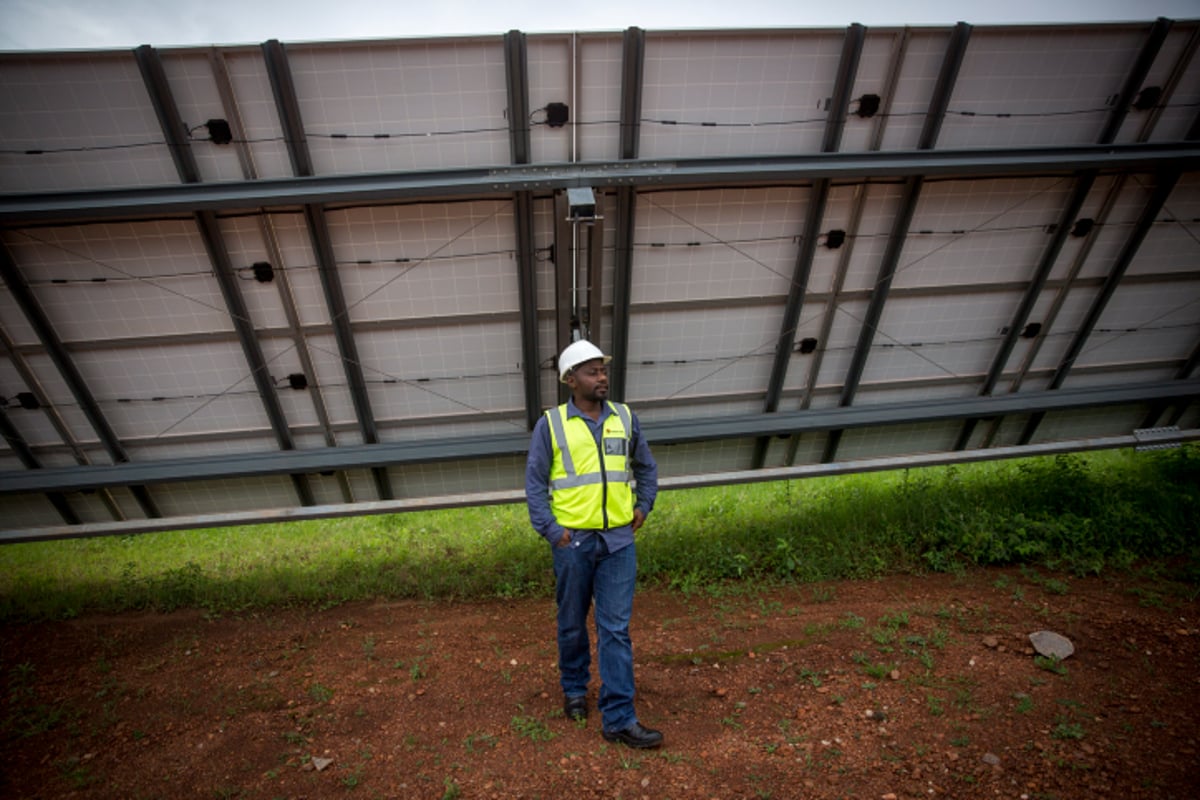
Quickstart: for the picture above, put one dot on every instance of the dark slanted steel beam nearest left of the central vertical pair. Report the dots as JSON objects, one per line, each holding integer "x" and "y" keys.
{"x": 289, "y": 107}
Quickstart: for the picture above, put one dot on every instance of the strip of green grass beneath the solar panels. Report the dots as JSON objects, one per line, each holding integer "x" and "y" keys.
{"x": 1079, "y": 515}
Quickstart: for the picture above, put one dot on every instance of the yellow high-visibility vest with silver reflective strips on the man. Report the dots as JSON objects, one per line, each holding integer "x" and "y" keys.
{"x": 591, "y": 485}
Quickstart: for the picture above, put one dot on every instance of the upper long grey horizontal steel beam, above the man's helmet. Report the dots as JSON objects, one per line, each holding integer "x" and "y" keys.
{"x": 158, "y": 202}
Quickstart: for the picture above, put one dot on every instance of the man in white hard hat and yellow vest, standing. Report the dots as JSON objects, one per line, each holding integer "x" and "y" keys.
{"x": 584, "y": 461}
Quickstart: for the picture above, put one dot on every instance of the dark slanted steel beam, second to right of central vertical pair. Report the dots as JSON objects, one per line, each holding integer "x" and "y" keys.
{"x": 952, "y": 63}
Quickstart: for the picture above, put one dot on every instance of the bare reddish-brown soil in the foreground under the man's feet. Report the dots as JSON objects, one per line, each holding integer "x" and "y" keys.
{"x": 899, "y": 688}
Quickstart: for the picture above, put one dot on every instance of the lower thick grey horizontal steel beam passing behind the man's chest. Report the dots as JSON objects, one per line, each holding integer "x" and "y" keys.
{"x": 256, "y": 465}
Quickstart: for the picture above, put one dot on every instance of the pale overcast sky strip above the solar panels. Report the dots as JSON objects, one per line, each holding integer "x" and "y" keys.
{"x": 89, "y": 25}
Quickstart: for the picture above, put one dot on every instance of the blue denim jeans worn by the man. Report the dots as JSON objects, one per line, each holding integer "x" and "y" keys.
{"x": 587, "y": 570}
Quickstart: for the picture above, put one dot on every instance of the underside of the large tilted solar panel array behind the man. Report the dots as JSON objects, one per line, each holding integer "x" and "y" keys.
{"x": 299, "y": 280}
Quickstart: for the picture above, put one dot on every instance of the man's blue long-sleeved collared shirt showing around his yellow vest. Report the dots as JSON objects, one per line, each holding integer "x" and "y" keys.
{"x": 542, "y": 458}
